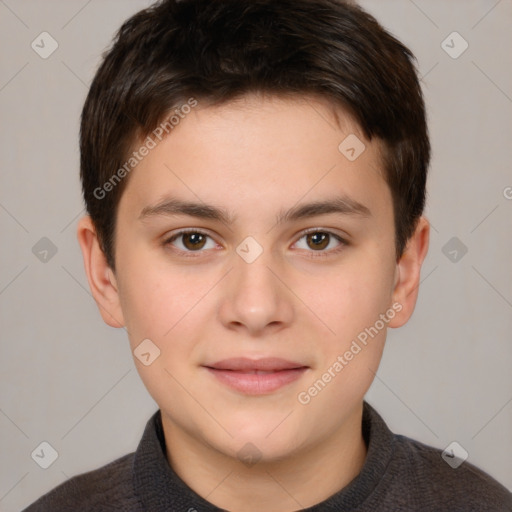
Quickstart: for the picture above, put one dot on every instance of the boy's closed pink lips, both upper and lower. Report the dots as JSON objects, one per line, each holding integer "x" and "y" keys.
{"x": 244, "y": 375}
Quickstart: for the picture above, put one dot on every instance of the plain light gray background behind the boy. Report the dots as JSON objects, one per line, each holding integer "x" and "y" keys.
{"x": 68, "y": 379}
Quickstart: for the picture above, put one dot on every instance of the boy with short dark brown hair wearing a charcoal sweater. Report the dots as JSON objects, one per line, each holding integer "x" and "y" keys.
{"x": 254, "y": 173}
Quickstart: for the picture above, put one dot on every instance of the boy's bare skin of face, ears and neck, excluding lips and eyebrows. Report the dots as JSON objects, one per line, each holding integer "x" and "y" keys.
{"x": 255, "y": 157}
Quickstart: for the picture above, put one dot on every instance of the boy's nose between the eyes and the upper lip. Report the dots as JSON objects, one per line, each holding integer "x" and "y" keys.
{"x": 256, "y": 299}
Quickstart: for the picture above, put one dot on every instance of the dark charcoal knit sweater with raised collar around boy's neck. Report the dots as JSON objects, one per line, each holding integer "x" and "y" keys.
{"x": 399, "y": 474}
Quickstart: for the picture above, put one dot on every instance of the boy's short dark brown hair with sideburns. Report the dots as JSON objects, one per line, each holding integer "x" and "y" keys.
{"x": 217, "y": 50}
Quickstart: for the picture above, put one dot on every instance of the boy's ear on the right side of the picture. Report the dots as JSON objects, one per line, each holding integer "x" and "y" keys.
{"x": 408, "y": 270}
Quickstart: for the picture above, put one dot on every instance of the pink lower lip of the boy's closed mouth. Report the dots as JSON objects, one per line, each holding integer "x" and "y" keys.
{"x": 257, "y": 383}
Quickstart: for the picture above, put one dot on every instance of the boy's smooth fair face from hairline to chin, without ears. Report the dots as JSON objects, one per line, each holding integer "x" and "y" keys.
{"x": 269, "y": 313}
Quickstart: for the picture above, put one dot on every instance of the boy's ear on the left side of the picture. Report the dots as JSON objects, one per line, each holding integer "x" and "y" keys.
{"x": 102, "y": 281}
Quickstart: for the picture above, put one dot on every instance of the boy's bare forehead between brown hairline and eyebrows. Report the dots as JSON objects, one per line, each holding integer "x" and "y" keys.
{"x": 260, "y": 153}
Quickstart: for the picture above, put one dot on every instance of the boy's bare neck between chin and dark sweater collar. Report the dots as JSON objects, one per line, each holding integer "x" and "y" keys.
{"x": 302, "y": 480}
